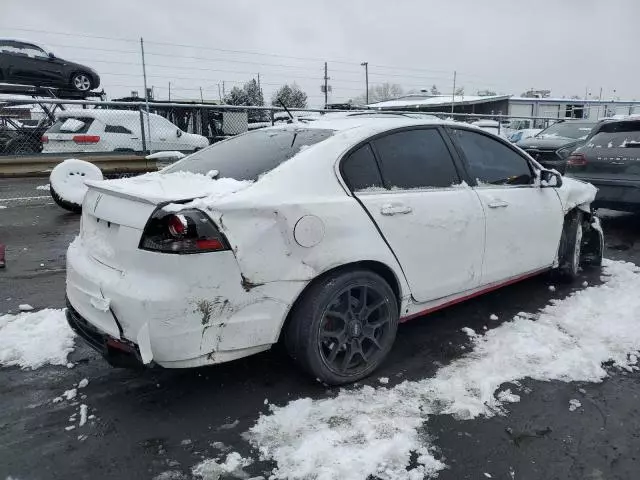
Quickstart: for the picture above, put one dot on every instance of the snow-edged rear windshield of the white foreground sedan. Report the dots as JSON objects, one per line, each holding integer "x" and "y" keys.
{"x": 248, "y": 156}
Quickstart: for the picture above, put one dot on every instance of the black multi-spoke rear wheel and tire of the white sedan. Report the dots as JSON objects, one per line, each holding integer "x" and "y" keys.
{"x": 335, "y": 336}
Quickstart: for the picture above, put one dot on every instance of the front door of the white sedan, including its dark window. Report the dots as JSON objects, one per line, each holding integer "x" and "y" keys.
{"x": 523, "y": 220}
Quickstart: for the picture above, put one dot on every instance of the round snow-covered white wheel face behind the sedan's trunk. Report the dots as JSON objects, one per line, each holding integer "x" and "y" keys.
{"x": 68, "y": 179}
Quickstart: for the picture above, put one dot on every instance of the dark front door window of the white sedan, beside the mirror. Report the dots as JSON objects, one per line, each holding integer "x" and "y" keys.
{"x": 492, "y": 162}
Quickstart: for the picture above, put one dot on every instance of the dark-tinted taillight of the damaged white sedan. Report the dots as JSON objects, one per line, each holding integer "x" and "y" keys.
{"x": 188, "y": 231}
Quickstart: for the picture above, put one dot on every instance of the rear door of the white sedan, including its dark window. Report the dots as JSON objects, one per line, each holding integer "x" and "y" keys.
{"x": 409, "y": 184}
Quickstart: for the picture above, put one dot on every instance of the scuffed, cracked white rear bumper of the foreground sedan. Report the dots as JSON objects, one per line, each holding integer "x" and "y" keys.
{"x": 180, "y": 316}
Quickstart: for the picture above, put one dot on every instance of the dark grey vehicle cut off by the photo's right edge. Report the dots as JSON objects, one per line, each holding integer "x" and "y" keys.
{"x": 610, "y": 160}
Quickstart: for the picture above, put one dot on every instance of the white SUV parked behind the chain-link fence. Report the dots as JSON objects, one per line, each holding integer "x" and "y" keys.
{"x": 102, "y": 130}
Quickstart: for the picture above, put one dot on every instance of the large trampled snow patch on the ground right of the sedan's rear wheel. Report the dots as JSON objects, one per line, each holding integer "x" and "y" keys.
{"x": 373, "y": 431}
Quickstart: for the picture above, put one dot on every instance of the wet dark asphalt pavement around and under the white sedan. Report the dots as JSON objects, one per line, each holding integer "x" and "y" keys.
{"x": 150, "y": 421}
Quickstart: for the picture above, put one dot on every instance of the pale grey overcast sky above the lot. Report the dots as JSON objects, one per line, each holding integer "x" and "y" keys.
{"x": 507, "y": 46}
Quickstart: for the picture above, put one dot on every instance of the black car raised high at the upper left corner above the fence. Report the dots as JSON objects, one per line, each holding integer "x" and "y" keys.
{"x": 27, "y": 63}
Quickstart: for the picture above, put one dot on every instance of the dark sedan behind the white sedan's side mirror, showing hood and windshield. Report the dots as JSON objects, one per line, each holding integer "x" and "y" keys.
{"x": 553, "y": 145}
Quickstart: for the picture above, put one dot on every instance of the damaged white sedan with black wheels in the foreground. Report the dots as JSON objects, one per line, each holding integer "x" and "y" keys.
{"x": 324, "y": 236}
